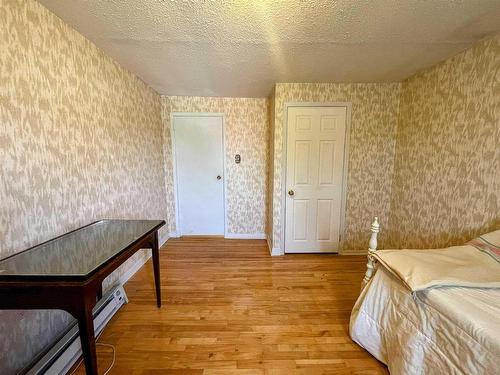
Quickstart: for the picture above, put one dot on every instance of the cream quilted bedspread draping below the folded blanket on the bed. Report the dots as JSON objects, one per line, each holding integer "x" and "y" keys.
{"x": 452, "y": 330}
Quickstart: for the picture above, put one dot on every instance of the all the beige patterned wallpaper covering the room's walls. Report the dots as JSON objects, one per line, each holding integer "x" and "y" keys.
{"x": 83, "y": 139}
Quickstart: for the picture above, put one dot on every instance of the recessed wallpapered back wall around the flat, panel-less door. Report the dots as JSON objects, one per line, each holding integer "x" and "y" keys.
{"x": 246, "y": 133}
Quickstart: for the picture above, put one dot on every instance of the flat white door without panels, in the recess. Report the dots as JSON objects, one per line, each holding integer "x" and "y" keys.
{"x": 199, "y": 161}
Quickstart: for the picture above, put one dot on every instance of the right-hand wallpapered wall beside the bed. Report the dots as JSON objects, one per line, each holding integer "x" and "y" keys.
{"x": 447, "y": 169}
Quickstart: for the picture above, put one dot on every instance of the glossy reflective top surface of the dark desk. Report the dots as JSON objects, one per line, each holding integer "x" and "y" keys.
{"x": 78, "y": 253}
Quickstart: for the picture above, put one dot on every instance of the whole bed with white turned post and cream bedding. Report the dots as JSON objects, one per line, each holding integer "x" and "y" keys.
{"x": 432, "y": 311}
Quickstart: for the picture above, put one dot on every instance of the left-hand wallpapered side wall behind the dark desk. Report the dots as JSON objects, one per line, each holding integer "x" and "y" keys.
{"x": 80, "y": 139}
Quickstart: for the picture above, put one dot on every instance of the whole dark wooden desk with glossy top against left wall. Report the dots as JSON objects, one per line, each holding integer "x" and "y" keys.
{"x": 66, "y": 273}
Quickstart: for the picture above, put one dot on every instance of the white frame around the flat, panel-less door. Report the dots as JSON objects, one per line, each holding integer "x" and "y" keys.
{"x": 173, "y": 115}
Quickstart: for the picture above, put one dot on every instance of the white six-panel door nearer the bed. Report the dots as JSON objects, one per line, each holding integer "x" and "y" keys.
{"x": 314, "y": 178}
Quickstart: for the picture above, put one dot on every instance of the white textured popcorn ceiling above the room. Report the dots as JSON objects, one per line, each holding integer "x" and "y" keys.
{"x": 242, "y": 47}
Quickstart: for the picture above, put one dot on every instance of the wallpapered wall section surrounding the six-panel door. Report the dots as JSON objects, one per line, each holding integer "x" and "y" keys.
{"x": 372, "y": 142}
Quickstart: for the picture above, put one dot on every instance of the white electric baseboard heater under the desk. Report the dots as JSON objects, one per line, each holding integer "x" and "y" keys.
{"x": 64, "y": 354}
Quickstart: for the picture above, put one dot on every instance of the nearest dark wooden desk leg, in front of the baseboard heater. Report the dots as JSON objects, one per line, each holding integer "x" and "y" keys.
{"x": 87, "y": 338}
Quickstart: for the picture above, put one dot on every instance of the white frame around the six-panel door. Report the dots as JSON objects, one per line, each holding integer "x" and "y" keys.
{"x": 347, "y": 136}
